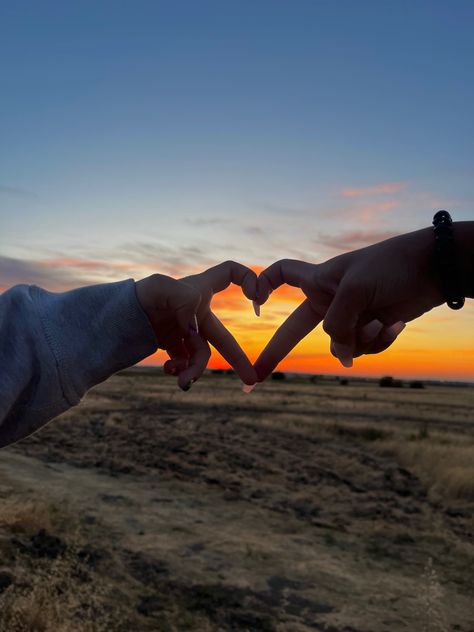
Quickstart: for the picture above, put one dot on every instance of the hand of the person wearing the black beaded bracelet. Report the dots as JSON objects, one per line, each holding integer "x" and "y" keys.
{"x": 363, "y": 297}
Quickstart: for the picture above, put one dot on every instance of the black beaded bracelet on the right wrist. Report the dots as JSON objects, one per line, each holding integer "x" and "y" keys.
{"x": 446, "y": 266}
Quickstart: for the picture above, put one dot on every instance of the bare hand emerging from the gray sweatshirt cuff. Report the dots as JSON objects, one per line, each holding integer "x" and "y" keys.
{"x": 180, "y": 314}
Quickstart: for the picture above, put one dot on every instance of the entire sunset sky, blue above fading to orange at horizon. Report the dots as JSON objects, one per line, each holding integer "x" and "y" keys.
{"x": 150, "y": 136}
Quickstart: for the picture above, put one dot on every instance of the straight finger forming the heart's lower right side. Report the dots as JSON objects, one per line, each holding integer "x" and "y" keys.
{"x": 298, "y": 325}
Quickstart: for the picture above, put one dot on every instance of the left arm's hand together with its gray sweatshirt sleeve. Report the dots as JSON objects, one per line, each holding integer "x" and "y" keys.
{"x": 55, "y": 346}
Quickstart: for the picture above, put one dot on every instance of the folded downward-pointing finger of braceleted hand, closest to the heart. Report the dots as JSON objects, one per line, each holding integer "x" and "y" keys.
{"x": 341, "y": 320}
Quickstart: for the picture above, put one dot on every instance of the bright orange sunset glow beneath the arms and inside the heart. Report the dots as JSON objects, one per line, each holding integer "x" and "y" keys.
{"x": 439, "y": 345}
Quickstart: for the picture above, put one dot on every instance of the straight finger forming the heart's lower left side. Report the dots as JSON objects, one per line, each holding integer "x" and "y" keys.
{"x": 225, "y": 343}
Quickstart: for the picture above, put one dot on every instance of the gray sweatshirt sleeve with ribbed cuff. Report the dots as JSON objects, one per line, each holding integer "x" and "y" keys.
{"x": 55, "y": 346}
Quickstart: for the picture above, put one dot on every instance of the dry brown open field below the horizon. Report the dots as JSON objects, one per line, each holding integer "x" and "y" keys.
{"x": 300, "y": 507}
